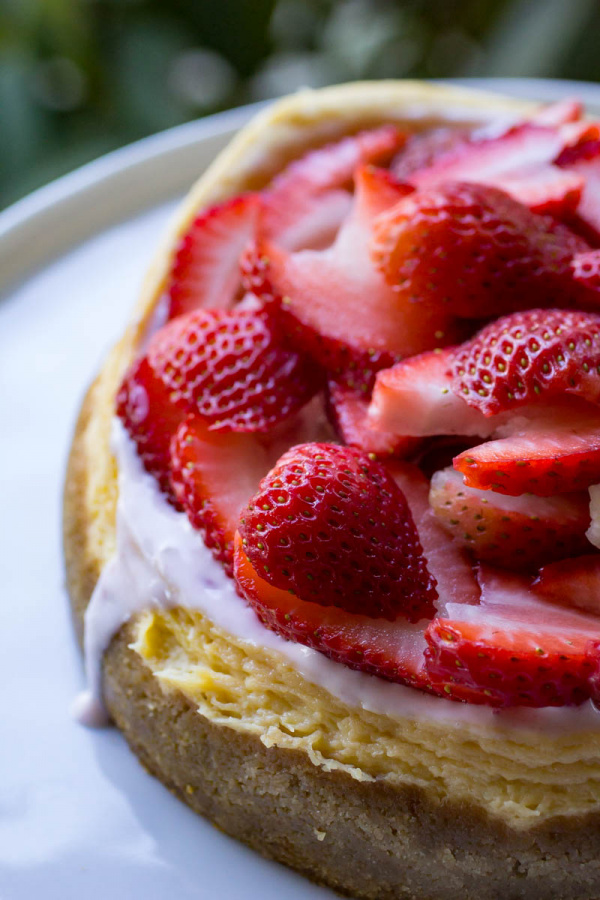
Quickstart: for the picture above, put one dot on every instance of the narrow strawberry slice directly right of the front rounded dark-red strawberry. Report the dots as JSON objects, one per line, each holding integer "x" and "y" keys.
{"x": 447, "y": 562}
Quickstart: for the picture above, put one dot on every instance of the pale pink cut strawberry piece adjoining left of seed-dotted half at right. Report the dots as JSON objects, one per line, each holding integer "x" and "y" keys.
{"x": 415, "y": 397}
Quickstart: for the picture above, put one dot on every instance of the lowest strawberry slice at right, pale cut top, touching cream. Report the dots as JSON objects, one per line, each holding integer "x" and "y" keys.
{"x": 512, "y": 650}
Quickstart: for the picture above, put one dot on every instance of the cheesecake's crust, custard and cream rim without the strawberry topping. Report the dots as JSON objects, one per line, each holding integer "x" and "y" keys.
{"x": 373, "y": 788}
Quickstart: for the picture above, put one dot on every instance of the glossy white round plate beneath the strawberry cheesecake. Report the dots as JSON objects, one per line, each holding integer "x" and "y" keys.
{"x": 79, "y": 817}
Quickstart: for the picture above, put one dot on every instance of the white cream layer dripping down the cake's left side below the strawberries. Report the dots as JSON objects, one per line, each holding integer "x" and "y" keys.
{"x": 162, "y": 562}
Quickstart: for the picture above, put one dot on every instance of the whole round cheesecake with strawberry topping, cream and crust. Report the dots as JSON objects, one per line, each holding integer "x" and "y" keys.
{"x": 332, "y": 505}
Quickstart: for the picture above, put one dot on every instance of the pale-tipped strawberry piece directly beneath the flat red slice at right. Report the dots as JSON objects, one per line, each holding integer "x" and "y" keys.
{"x": 519, "y": 533}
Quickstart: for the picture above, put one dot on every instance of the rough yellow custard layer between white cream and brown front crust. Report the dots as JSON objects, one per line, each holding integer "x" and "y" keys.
{"x": 516, "y": 774}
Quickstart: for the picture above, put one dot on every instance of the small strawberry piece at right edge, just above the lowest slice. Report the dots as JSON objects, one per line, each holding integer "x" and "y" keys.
{"x": 571, "y": 582}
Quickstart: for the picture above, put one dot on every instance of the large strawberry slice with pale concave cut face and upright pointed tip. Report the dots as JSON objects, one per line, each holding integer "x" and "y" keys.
{"x": 336, "y": 304}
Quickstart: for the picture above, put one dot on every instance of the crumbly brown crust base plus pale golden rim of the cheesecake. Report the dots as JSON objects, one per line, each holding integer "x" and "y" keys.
{"x": 367, "y": 839}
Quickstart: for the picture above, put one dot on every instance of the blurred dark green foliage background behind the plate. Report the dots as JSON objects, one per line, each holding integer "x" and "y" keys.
{"x": 81, "y": 77}
